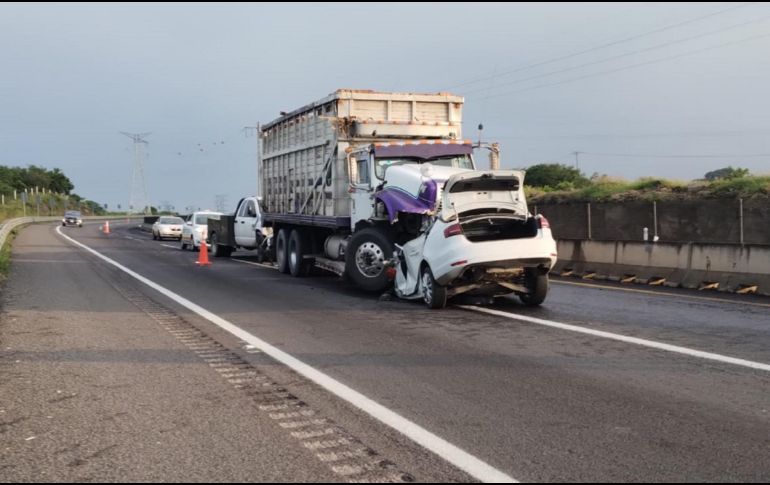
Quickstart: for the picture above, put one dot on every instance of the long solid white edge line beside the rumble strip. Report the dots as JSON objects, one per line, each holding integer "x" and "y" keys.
{"x": 446, "y": 450}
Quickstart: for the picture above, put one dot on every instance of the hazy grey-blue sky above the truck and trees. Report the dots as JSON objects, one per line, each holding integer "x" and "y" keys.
{"x": 657, "y": 79}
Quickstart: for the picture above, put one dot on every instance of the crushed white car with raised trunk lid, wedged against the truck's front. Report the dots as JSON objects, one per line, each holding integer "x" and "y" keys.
{"x": 483, "y": 241}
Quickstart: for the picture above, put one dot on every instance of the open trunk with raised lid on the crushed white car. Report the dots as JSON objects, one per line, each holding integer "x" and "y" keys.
{"x": 489, "y": 205}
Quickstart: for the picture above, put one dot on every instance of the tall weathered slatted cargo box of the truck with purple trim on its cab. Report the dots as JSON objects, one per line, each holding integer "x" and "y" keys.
{"x": 303, "y": 170}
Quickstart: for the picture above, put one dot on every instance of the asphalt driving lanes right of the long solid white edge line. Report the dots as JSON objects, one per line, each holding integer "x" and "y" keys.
{"x": 538, "y": 403}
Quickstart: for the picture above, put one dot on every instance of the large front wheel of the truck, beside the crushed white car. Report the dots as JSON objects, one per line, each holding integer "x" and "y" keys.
{"x": 365, "y": 259}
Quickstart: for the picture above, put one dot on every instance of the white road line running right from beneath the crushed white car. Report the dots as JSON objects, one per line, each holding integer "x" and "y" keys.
{"x": 623, "y": 338}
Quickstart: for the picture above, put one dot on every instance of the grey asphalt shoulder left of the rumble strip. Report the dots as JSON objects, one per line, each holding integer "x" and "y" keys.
{"x": 94, "y": 389}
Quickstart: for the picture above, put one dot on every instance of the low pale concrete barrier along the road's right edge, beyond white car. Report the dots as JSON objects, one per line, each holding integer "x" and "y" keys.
{"x": 726, "y": 267}
